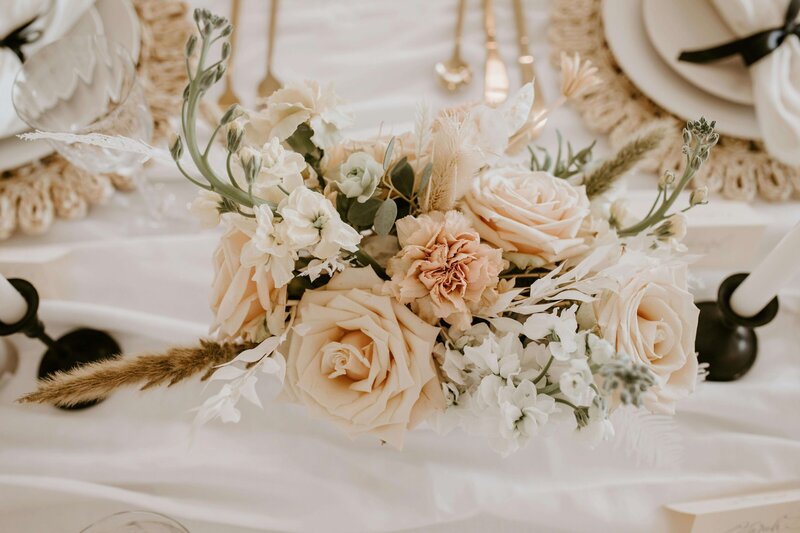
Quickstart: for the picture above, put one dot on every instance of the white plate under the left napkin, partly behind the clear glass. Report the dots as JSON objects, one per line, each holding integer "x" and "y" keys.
{"x": 115, "y": 19}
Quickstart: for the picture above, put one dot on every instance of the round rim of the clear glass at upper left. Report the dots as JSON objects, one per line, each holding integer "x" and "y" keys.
{"x": 112, "y": 45}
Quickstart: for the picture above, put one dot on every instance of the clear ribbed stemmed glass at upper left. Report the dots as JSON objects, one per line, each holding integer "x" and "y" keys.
{"x": 83, "y": 85}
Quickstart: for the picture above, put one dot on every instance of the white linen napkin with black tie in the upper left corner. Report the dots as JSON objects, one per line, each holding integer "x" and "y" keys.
{"x": 57, "y": 17}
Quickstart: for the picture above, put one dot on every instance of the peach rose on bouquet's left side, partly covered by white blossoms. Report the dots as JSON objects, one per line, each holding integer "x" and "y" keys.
{"x": 244, "y": 298}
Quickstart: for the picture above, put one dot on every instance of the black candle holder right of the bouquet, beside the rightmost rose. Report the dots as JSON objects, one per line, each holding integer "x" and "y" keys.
{"x": 726, "y": 340}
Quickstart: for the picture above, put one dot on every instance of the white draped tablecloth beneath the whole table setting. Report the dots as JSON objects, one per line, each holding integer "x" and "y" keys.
{"x": 278, "y": 470}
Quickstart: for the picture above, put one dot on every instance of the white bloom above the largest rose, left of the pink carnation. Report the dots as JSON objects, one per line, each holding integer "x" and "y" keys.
{"x": 310, "y": 221}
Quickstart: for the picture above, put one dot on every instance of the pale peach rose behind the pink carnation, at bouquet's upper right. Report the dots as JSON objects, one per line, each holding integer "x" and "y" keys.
{"x": 533, "y": 216}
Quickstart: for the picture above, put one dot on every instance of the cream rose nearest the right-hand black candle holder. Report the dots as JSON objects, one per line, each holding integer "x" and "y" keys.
{"x": 654, "y": 320}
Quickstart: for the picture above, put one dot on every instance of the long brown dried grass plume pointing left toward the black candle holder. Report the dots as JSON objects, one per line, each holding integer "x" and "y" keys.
{"x": 96, "y": 381}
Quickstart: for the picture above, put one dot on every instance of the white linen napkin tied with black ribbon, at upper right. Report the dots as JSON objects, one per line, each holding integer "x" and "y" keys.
{"x": 776, "y": 77}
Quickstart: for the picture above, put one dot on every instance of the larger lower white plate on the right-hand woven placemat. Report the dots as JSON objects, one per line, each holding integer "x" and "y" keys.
{"x": 626, "y": 36}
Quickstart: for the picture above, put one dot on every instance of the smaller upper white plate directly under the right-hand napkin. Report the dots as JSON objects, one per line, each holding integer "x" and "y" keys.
{"x": 680, "y": 25}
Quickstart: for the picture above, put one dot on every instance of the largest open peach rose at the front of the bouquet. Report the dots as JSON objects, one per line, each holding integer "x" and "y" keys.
{"x": 362, "y": 360}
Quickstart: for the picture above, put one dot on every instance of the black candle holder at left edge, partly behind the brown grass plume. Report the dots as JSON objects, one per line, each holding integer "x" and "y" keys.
{"x": 76, "y": 348}
